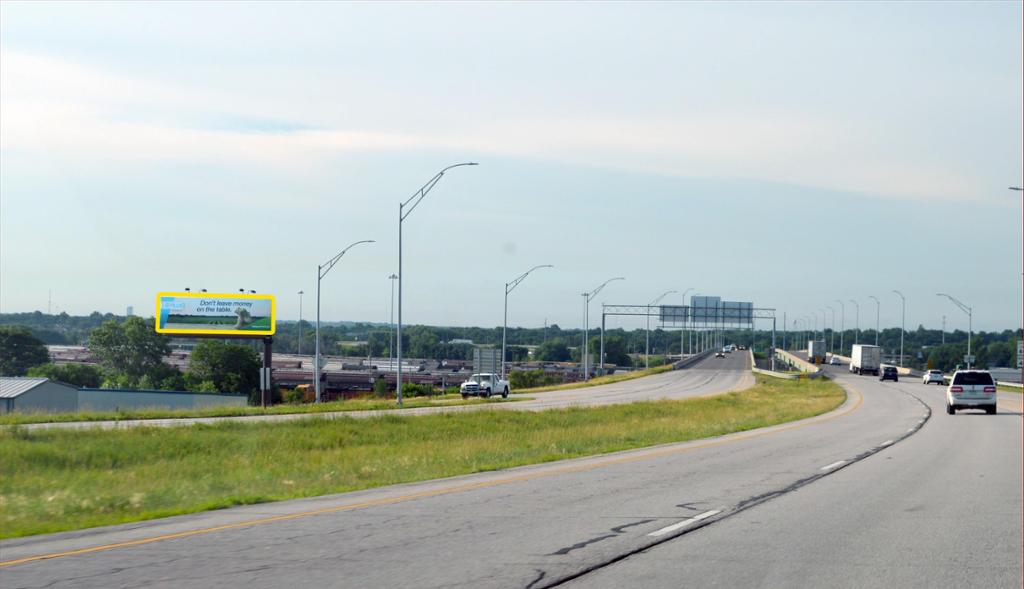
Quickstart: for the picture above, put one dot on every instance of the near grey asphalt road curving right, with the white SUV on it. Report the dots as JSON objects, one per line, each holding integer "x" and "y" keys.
{"x": 882, "y": 492}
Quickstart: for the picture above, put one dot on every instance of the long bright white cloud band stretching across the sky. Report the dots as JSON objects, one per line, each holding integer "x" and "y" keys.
{"x": 84, "y": 114}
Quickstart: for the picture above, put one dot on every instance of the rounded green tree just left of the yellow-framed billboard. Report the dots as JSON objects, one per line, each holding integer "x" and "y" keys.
{"x": 133, "y": 348}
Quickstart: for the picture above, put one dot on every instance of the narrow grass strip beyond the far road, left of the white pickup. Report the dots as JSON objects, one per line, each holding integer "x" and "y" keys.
{"x": 352, "y": 405}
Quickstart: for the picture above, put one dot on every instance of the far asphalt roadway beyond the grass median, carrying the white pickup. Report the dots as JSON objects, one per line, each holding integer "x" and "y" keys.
{"x": 708, "y": 376}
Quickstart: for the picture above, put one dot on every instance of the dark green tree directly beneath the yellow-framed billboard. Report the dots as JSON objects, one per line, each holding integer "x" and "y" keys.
{"x": 230, "y": 367}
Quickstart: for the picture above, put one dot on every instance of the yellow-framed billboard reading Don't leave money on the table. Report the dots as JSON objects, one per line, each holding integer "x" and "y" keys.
{"x": 211, "y": 314}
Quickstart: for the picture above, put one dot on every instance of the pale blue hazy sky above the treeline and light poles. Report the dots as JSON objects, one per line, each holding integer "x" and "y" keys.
{"x": 794, "y": 155}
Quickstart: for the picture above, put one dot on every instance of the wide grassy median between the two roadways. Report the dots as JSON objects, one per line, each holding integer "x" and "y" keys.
{"x": 54, "y": 481}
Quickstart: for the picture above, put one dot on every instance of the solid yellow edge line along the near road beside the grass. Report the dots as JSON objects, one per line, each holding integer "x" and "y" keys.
{"x": 635, "y": 456}
